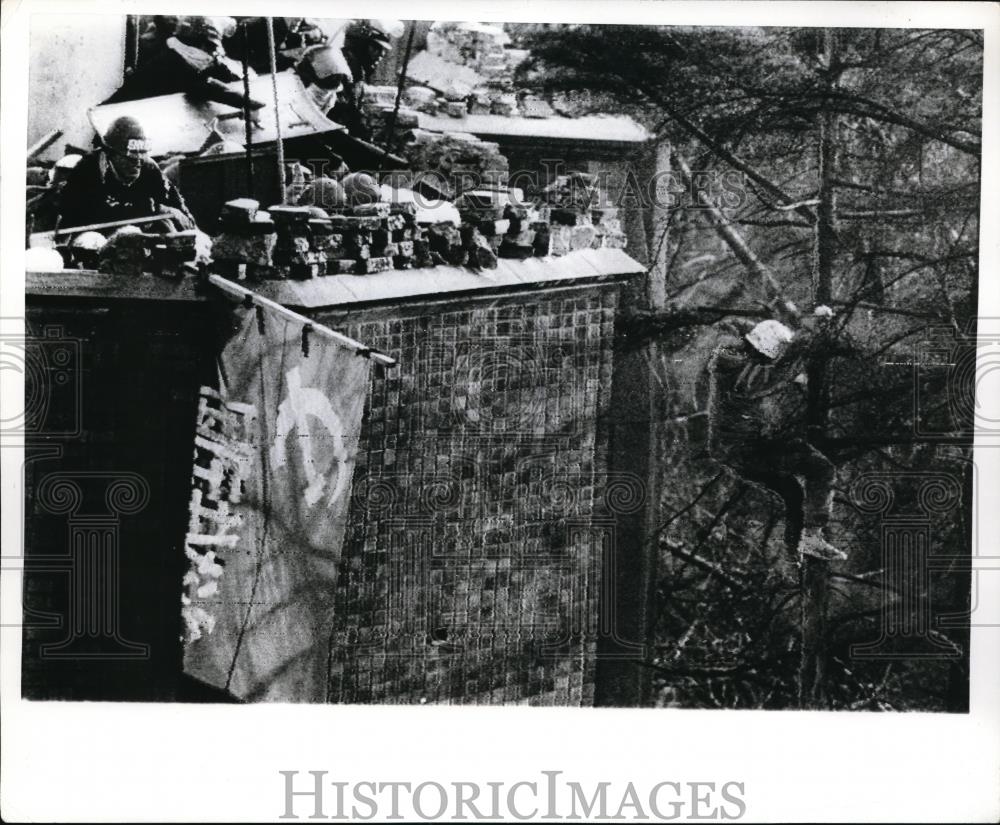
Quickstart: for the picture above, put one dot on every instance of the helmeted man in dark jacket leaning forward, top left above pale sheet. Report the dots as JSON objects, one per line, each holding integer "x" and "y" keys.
{"x": 192, "y": 61}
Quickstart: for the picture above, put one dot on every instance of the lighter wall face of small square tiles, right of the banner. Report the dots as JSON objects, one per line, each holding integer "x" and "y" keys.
{"x": 473, "y": 567}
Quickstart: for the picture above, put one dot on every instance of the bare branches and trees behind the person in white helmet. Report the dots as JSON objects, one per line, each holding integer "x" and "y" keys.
{"x": 860, "y": 153}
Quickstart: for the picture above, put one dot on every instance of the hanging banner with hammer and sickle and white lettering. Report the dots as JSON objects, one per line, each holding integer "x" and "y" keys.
{"x": 271, "y": 485}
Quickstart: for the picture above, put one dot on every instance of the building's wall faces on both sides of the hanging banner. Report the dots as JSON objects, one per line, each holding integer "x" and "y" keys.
{"x": 485, "y": 511}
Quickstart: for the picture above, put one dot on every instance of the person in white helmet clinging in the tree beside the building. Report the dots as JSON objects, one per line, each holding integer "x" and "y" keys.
{"x": 757, "y": 422}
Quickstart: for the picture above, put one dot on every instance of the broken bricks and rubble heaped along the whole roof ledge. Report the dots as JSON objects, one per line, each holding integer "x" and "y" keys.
{"x": 346, "y": 229}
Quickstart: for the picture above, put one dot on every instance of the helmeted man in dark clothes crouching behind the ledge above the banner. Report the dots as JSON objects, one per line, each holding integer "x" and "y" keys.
{"x": 119, "y": 181}
